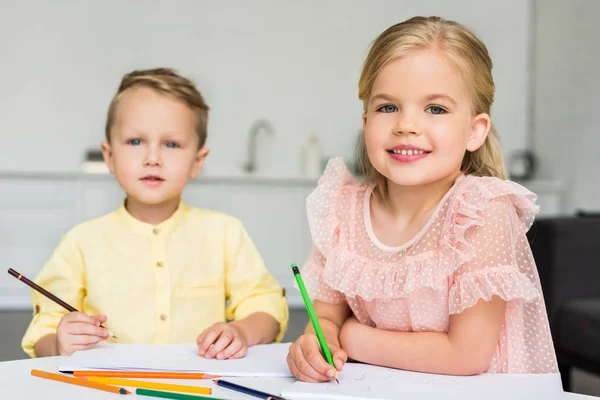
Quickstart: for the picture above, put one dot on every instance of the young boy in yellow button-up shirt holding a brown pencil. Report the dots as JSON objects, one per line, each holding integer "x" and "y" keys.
{"x": 157, "y": 271}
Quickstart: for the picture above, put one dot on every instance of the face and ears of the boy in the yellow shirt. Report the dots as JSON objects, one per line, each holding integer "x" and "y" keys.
{"x": 153, "y": 150}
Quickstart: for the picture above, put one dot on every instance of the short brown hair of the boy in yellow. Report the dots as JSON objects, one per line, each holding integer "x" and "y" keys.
{"x": 168, "y": 82}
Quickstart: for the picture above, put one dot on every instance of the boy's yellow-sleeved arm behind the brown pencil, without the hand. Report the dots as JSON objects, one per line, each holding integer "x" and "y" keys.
{"x": 62, "y": 276}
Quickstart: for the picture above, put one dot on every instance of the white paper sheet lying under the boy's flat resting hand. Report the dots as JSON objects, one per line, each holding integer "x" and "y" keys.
{"x": 261, "y": 361}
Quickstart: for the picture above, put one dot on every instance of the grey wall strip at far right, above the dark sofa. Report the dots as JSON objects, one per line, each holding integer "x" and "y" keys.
{"x": 566, "y": 90}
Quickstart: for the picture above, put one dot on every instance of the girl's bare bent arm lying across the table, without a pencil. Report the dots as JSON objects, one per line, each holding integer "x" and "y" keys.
{"x": 466, "y": 349}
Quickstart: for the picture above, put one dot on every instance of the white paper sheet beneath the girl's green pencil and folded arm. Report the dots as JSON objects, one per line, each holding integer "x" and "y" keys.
{"x": 359, "y": 381}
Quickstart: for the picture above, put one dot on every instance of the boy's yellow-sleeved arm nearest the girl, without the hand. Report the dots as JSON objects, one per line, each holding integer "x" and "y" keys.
{"x": 256, "y": 302}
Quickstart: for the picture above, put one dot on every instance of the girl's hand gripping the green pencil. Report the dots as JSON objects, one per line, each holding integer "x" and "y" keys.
{"x": 308, "y": 364}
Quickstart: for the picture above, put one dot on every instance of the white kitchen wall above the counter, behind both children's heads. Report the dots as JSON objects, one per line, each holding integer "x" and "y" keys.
{"x": 294, "y": 62}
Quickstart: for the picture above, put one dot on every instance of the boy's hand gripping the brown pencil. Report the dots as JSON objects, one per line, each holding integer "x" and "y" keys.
{"x": 78, "y": 331}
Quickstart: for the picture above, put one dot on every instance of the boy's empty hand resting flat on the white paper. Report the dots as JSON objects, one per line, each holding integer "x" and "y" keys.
{"x": 222, "y": 341}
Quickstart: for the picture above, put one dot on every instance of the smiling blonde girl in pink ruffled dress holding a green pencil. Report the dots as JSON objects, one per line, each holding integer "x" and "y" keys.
{"x": 425, "y": 265}
